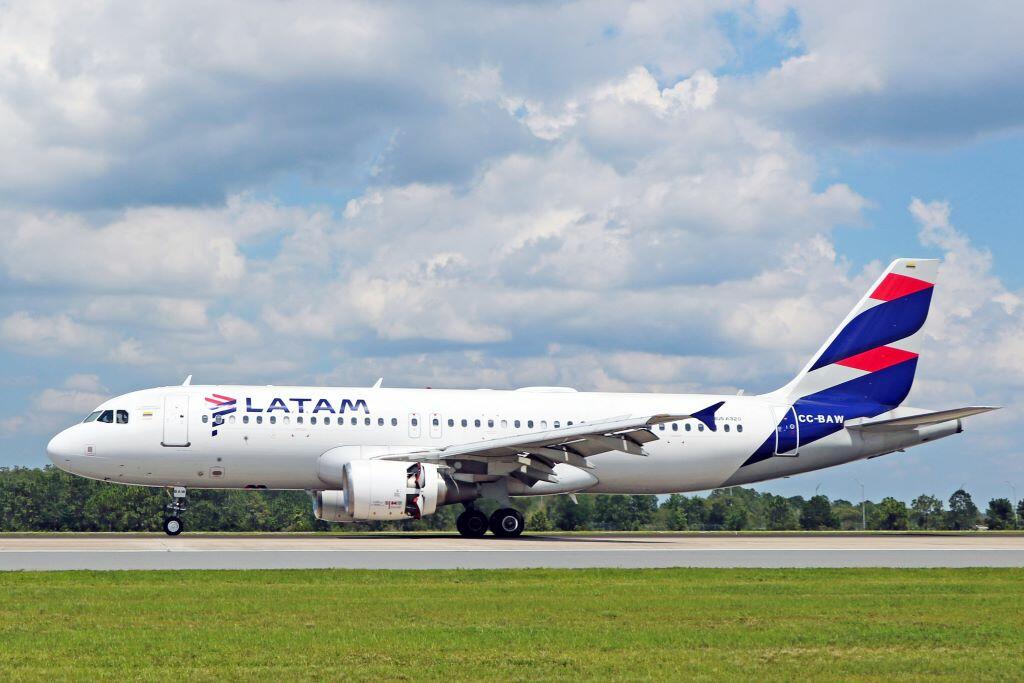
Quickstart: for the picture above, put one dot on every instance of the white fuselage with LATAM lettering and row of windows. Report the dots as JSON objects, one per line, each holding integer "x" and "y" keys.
{"x": 169, "y": 440}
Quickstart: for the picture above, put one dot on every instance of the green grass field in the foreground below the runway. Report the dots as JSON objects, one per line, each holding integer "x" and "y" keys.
{"x": 519, "y": 625}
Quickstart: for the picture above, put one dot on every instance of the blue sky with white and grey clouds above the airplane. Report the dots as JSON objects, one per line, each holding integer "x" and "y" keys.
{"x": 676, "y": 197}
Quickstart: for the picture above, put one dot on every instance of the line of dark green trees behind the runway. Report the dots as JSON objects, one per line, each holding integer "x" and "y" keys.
{"x": 51, "y": 500}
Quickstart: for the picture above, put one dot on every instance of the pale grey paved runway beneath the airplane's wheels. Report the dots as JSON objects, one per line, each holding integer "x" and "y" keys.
{"x": 145, "y": 551}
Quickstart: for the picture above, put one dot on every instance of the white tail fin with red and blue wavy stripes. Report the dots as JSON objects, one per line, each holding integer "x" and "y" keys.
{"x": 872, "y": 357}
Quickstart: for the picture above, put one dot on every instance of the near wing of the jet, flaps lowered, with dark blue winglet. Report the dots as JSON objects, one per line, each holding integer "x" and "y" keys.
{"x": 532, "y": 457}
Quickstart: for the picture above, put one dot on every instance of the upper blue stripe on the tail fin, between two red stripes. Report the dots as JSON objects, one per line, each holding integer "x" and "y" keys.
{"x": 876, "y": 327}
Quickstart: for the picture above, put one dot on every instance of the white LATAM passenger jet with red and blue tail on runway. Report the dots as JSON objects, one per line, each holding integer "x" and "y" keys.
{"x": 382, "y": 454}
